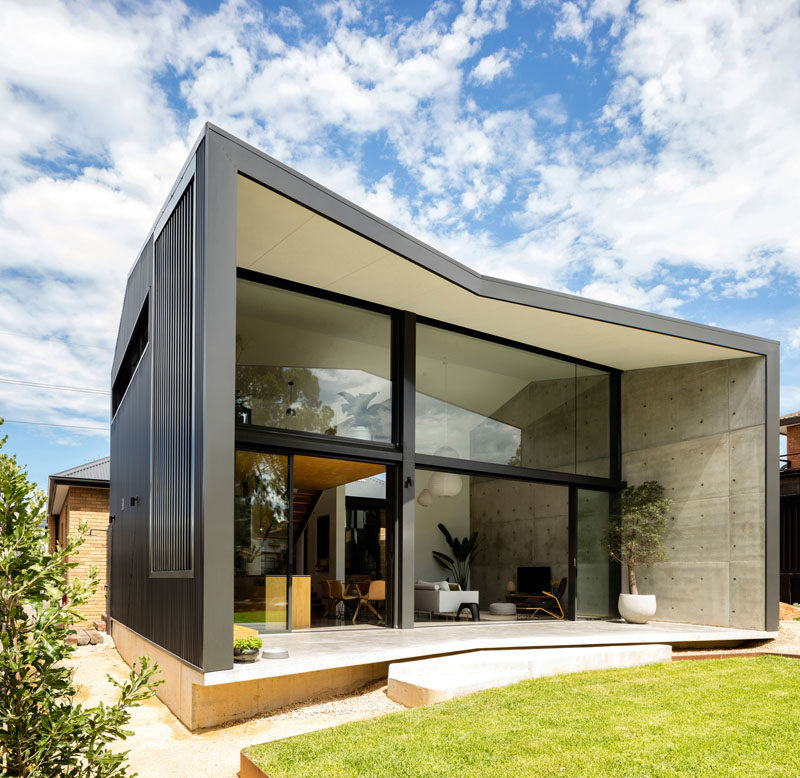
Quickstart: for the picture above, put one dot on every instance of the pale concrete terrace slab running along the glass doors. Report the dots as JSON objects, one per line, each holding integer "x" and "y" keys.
{"x": 311, "y": 650}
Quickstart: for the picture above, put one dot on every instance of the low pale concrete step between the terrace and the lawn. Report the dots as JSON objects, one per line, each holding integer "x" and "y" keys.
{"x": 429, "y": 681}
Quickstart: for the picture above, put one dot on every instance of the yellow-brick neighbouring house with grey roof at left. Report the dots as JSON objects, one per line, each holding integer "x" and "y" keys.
{"x": 75, "y": 495}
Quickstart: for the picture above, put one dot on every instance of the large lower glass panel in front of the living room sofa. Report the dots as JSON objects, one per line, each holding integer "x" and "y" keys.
{"x": 523, "y": 536}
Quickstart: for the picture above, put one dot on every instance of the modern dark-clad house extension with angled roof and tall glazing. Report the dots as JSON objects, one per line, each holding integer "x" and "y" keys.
{"x": 302, "y": 393}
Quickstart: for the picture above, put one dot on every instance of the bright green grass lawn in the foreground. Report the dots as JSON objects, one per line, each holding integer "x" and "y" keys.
{"x": 725, "y": 717}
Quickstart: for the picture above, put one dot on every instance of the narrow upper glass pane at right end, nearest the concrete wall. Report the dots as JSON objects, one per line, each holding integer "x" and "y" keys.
{"x": 593, "y": 438}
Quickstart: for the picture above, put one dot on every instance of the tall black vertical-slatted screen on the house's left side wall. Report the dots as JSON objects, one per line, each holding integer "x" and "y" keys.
{"x": 171, "y": 523}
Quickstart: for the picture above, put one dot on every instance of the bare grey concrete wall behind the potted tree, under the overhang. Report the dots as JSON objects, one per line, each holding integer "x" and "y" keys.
{"x": 699, "y": 430}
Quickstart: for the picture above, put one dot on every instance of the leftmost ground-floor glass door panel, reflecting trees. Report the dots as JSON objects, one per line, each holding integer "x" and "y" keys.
{"x": 261, "y": 541}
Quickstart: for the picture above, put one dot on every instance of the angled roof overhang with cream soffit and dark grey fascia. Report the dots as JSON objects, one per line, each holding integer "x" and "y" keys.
{"x": 291, "y": 228}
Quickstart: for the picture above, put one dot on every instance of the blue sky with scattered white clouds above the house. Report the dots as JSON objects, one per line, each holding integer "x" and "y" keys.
{"x": 640, "y": 153}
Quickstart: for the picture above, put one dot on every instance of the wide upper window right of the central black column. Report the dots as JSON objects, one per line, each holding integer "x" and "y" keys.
{"x": 486, "y": 402}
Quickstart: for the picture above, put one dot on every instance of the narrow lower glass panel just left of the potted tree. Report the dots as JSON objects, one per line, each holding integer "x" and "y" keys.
{"x": 594, "y": 564}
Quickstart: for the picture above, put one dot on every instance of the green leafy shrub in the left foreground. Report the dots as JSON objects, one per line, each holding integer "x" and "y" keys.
{"x": 42, "y": 731}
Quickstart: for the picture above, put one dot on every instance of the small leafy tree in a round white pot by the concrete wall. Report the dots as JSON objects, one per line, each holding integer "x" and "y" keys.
{"x": 634, "y": 539}
